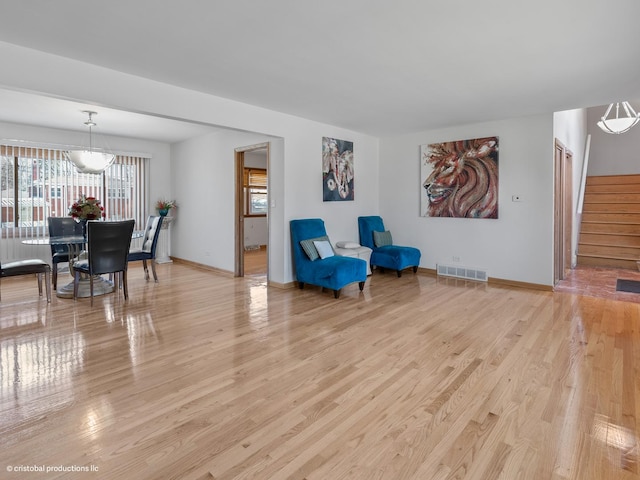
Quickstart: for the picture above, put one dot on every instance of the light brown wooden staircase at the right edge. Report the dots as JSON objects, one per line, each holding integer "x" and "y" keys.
{"x": 610, "y": 230}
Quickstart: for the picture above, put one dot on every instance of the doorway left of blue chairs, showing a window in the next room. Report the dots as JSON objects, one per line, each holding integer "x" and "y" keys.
{"x": 251, "y": 210}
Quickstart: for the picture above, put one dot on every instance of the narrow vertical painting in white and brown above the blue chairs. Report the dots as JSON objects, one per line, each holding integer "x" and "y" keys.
{"x": 337, "y": 170}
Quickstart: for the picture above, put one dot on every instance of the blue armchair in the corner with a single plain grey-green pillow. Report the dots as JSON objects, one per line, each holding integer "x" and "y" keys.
{"x": 385, "y": 254}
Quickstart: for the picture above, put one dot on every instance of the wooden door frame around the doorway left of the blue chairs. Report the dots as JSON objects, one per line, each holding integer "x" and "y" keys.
{"x": 238, "y": 268}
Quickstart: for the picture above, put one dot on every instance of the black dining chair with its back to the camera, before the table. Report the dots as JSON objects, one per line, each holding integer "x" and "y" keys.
{"x": 108, "y": 249}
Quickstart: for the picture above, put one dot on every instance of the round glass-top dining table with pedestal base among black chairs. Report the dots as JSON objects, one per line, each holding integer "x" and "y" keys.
{"x": 76, "y": 244}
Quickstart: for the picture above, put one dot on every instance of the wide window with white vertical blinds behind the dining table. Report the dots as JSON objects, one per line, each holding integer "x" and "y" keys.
{"x": 36, "y": 183}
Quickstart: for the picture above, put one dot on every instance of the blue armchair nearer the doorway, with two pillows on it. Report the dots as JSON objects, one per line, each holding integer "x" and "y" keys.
{"x": 332, "y": 271}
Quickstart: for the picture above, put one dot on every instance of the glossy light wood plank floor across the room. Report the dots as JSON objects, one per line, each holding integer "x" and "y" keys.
{"x": 202, "y": 376}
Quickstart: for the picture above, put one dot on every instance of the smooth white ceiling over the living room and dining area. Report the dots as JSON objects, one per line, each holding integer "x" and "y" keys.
{"x": 373, "y": 66}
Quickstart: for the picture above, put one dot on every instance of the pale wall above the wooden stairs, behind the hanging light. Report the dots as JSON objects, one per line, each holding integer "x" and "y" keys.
{"x": 613, "y": 154}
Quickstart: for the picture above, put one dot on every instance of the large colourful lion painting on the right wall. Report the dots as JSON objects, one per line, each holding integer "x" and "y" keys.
{"x": 460, "y": 179}
